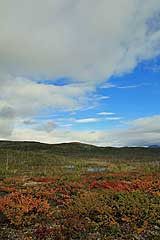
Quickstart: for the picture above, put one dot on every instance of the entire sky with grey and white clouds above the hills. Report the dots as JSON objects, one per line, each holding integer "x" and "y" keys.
{"x": 80, "y": 71}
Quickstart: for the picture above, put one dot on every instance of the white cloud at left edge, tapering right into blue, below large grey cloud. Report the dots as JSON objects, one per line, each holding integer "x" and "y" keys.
{"x": 22, "y": 99}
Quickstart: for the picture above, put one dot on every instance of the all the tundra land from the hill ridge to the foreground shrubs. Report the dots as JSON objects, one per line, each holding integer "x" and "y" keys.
{"x": 78, "y": 191}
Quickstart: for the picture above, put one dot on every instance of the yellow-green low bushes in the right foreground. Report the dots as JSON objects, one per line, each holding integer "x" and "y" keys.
{"x": 111, "y": 214}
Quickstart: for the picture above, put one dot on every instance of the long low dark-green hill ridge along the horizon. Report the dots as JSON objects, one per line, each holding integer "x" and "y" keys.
{"x": 81, "y": 150}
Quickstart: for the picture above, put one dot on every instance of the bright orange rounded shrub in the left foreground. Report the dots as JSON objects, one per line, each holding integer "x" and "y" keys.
{"x": 24, "y": 209}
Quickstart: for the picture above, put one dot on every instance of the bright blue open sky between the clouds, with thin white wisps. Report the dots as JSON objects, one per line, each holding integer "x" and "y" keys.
{"x": 116, "y": 102}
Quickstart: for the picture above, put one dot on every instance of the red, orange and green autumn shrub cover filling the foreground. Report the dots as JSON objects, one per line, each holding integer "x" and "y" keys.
{"x": 99, "y": 205}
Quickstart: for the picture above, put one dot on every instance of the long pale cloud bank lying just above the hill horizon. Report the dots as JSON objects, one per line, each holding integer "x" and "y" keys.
{"x": 141, "y": 132}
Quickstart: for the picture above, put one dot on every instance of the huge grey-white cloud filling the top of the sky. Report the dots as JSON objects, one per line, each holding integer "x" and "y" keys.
{"x": 82, "y": 39}
